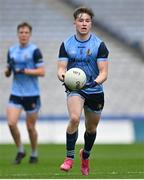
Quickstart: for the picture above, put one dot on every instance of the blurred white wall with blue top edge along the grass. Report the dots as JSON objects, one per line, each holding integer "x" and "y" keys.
{"x": 51, "y": 129}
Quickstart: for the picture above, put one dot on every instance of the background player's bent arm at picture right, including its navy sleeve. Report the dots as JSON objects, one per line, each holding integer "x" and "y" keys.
{"x": 39, "y": 70}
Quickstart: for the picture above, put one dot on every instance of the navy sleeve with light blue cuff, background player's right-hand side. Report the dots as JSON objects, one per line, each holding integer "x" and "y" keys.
{"x": 38, "y": 58}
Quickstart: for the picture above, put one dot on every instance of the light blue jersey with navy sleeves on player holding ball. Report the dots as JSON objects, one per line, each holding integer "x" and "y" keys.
{"x": 84, "y": 55}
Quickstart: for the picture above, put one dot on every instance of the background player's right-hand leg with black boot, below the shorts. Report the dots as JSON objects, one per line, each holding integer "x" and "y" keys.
{"x": 31, "y": 122}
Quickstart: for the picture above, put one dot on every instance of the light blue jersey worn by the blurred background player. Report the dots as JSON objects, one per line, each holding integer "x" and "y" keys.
{"x": 28, "y": 57}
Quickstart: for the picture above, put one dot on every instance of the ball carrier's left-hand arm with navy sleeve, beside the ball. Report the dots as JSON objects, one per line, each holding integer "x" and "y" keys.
{"x": 62, "y": 63}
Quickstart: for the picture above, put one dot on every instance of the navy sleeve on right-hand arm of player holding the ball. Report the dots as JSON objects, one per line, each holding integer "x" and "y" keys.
{"x": 102, "y": 52}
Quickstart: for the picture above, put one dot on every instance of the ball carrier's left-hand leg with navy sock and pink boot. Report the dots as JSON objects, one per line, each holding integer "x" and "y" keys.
{"x": 75, "y": 104}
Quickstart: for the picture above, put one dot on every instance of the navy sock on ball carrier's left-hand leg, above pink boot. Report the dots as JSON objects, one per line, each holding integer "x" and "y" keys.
{"x": 70, "y": 144}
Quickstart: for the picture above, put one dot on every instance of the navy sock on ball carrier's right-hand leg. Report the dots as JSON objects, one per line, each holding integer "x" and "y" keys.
{"x": 89, "y": 141}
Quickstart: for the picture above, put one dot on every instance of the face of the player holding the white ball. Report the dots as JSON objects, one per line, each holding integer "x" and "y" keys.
{"x": 83, "y": 24}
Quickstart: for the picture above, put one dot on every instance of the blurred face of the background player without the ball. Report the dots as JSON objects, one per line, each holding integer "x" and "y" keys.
{"x": 24, "y": 35}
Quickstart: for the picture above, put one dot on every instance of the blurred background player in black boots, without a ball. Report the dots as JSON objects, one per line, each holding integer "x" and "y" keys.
{"x": 25, "y": 63}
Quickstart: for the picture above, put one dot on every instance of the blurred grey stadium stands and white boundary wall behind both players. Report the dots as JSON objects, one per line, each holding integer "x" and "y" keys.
{"x": 121, "y": 25}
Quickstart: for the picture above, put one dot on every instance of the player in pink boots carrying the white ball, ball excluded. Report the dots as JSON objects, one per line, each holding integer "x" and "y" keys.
{"x": 86, "y": 51}
